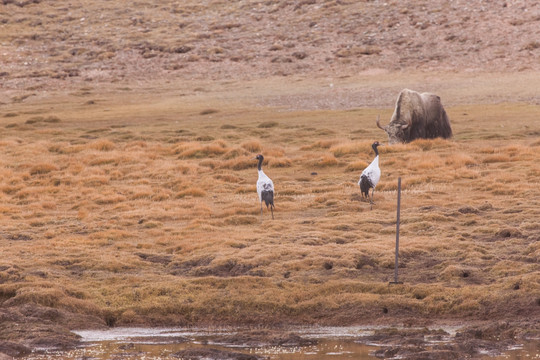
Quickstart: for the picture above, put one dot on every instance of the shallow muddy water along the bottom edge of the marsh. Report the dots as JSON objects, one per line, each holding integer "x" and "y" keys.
{"x": 149, "y": 344}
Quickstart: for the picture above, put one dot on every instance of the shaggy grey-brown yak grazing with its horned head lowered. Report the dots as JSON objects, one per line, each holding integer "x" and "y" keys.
{"x": 417, "y": 116}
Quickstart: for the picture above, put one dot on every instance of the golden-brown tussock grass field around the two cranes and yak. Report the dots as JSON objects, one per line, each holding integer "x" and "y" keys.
{"x": 139, "y": 205}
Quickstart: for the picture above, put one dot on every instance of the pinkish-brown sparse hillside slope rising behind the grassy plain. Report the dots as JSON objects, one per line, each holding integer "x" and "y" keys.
{"x": 47, "y": 46}
